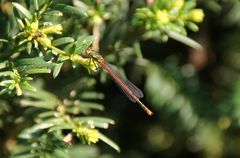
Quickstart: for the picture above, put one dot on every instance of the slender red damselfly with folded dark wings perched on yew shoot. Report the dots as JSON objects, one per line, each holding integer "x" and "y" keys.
{"x": 131, "y": 91}
